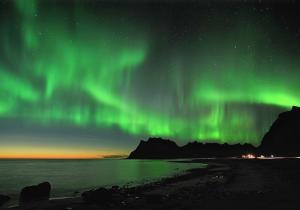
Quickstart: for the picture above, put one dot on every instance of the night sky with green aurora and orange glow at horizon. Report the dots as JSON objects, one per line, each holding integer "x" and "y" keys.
{"x": 90, "y": 78}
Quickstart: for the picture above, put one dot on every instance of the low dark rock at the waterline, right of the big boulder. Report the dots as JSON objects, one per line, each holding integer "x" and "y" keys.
{"x": 100, "y": 196}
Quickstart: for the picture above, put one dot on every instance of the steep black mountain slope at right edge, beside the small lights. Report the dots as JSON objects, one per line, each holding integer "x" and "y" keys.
{"x": 283, "y": 138}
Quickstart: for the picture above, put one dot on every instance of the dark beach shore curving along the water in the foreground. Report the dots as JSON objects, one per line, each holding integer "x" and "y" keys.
{"x": 224, "y": 184}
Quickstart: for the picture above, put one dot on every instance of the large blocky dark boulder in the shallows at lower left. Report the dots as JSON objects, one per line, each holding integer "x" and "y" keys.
{"x": 35, "y": 192}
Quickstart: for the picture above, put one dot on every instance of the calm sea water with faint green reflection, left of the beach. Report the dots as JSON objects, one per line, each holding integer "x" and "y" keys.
{"x": 67, "y": 176}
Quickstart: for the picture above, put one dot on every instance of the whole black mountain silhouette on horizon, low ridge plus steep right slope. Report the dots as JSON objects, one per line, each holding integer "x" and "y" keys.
{"x": 281, "y": 140}
